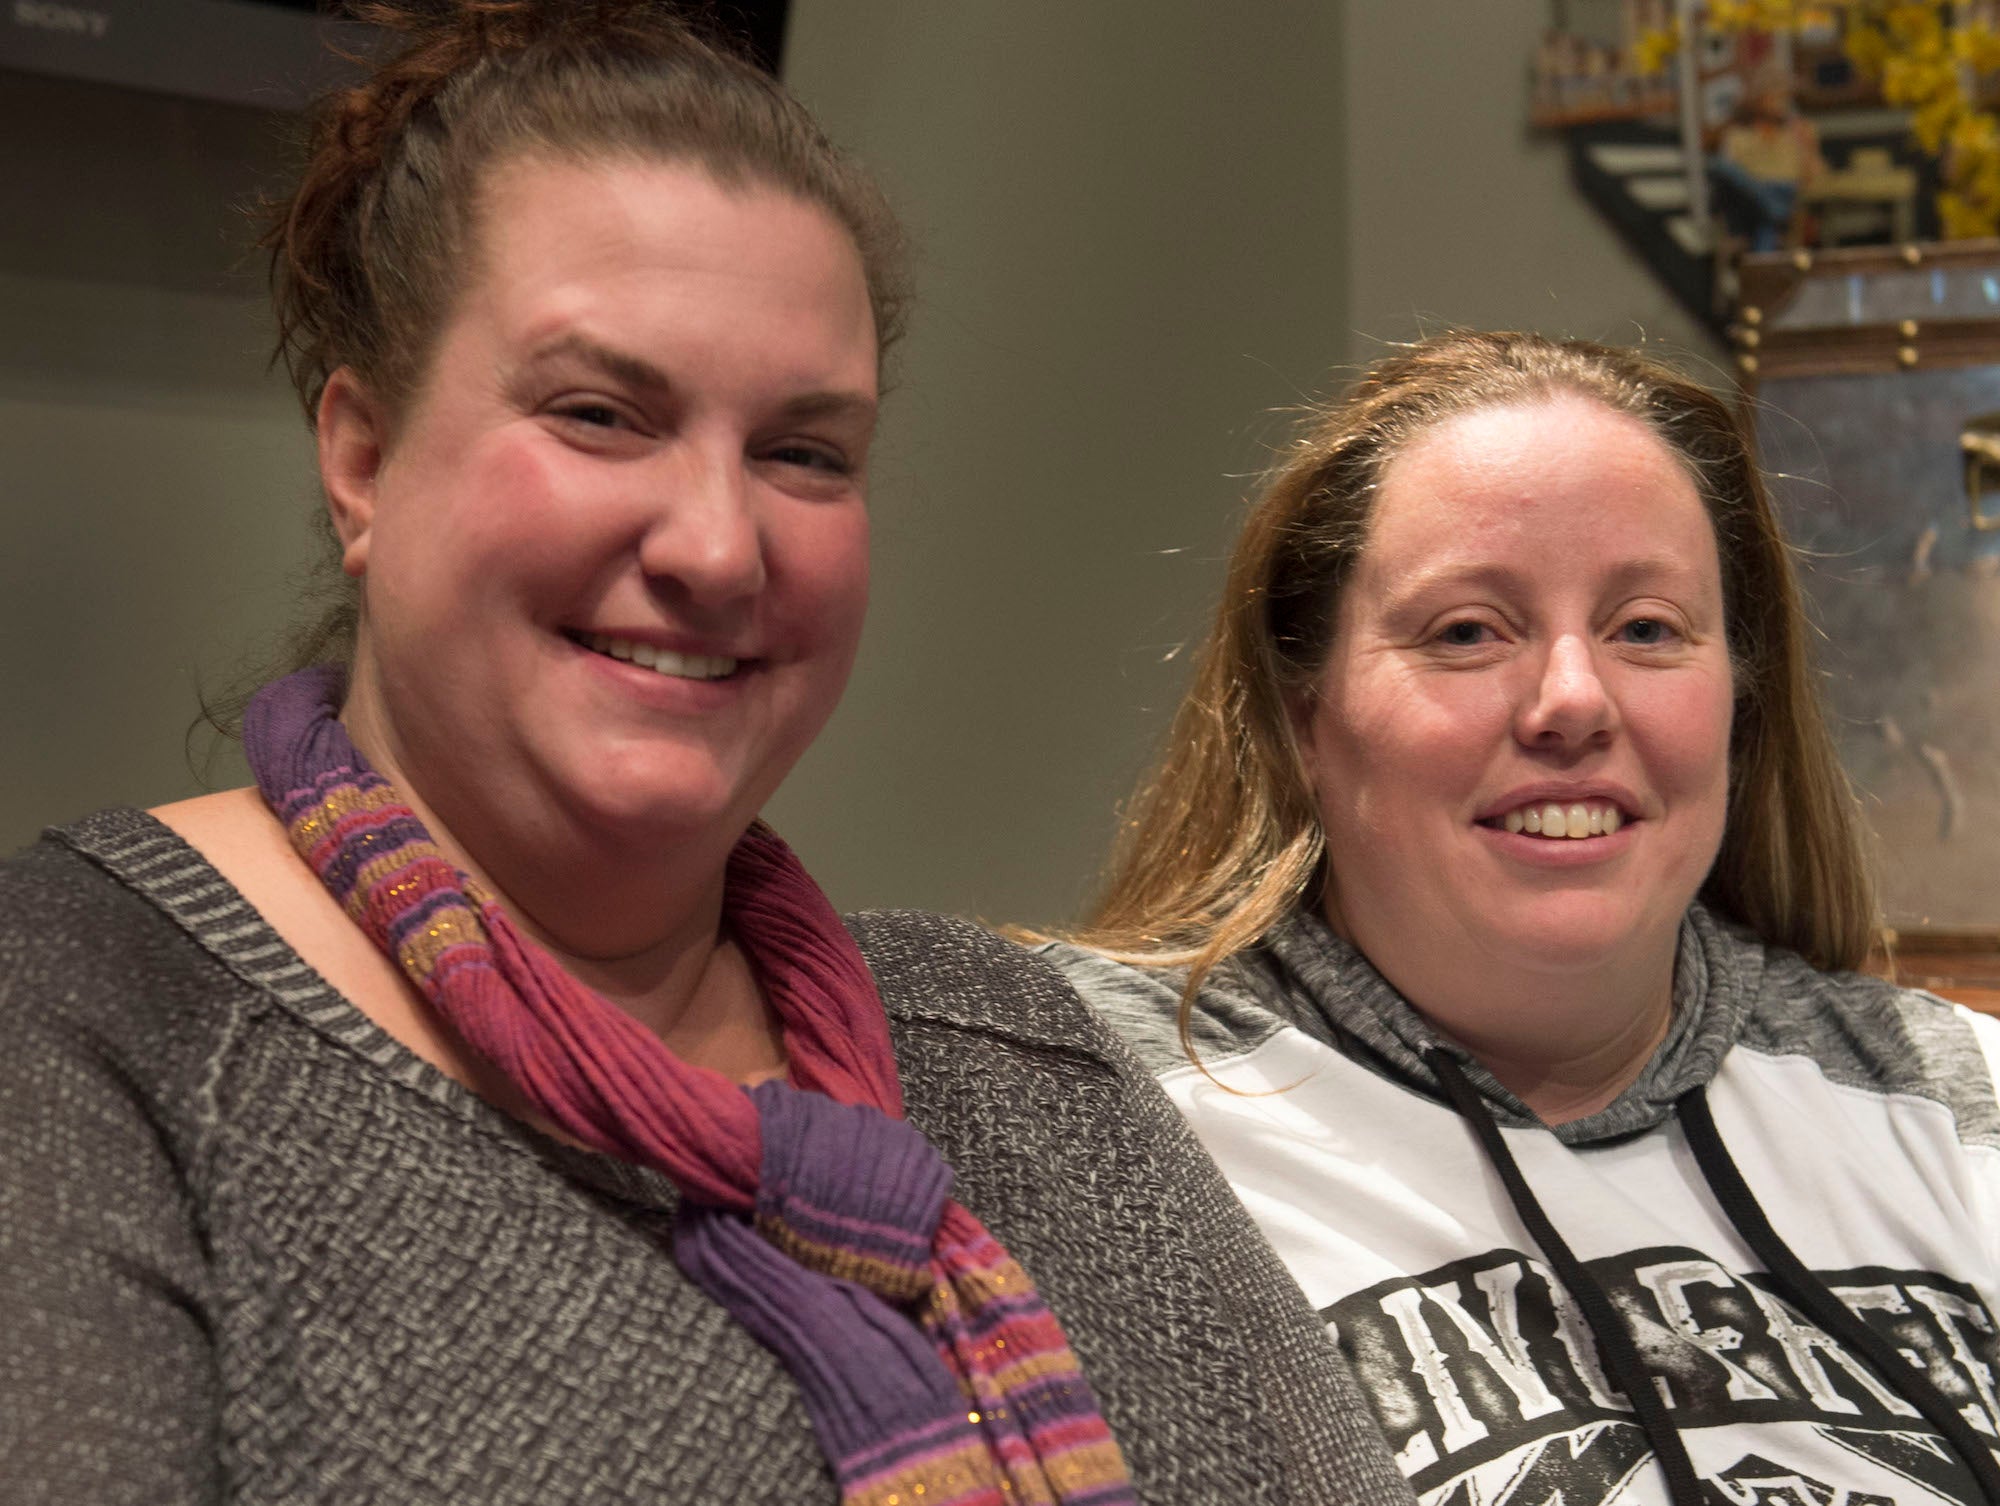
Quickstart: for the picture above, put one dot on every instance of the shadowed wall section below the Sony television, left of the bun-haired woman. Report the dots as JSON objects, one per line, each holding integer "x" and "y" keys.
{"x": 155, "y": 473}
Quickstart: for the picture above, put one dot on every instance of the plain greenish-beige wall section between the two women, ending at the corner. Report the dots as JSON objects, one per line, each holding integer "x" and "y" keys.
{"x": 1131, "y": 251}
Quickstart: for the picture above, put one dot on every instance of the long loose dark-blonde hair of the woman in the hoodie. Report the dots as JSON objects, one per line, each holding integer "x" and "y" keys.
{"x": 1223, "y": 839}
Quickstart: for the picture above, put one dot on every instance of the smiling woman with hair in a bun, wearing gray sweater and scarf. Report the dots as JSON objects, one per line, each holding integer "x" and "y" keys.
{"x": 487, "y": 1107}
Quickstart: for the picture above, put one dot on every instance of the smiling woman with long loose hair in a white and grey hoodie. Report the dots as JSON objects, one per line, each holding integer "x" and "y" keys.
{"x": 1493, "y": 917}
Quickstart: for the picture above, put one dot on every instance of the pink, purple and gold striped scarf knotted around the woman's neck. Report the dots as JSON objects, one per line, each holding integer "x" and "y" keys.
{"x": 813, "y": 1213}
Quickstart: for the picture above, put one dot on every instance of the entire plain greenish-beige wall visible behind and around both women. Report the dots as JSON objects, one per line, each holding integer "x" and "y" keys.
{"x": 1143, "y": 227}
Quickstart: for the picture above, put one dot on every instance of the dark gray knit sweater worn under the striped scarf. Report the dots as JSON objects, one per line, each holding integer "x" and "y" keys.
{"x": 255, "y": 1251}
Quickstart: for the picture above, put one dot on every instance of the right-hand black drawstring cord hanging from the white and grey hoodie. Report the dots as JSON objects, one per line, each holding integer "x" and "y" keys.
{"x": 1813, "y": 1297}
